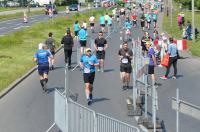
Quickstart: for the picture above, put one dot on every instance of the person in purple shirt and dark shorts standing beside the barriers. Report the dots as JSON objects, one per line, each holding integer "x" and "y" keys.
{"x": 152, "y": 62}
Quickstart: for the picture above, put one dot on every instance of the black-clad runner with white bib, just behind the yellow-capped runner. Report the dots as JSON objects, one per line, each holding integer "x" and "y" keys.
{"x": 100, "y": 45}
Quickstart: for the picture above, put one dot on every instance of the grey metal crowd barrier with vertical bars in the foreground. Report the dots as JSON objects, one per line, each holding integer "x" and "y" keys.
{"x": 69, "y": 116}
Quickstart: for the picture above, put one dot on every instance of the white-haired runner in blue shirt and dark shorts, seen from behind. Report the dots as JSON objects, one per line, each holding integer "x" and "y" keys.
{"x": 41, "y": 57}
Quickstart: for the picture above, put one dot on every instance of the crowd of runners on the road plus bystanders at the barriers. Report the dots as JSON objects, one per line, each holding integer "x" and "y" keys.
{"x": 125, "y": 19}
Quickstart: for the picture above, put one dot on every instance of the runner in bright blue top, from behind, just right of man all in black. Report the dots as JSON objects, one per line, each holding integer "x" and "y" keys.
{"x": 82, "y": 39}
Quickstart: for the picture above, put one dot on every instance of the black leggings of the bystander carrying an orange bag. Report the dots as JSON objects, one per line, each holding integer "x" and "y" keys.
{"x": 172, "y": 60}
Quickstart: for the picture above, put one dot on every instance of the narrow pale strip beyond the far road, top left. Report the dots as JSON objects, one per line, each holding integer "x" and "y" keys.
{"x": 20, "y": 10}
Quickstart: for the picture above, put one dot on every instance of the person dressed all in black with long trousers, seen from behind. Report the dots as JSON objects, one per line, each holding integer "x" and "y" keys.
{"x": 68, "y": 43}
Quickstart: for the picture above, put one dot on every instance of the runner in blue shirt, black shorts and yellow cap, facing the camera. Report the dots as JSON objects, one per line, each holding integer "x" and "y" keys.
{"x": 88, "y": 62}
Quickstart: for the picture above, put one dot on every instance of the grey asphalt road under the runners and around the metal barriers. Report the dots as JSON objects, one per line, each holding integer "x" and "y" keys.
{"x": 27, "y": 109}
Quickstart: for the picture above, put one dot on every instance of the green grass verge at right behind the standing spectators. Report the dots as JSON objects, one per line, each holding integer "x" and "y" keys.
{"x": 175, "y": 32}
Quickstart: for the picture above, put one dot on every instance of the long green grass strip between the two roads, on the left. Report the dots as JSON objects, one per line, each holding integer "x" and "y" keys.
{"x": 17, "y": 49}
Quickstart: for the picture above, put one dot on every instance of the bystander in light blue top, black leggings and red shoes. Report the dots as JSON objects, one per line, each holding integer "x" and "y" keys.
{"x": 173, "y": 57}
